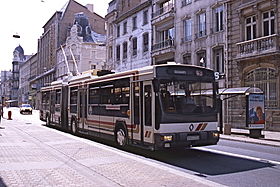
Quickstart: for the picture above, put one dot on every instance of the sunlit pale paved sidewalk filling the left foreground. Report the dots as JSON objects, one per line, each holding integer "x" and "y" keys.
{"x": 35, "y": 155}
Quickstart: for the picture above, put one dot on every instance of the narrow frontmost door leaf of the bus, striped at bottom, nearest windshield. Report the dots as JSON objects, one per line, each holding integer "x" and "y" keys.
{"x": 148, "y": 112}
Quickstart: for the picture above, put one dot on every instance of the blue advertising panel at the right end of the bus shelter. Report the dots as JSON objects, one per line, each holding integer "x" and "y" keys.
{"x": 255, "y": 111}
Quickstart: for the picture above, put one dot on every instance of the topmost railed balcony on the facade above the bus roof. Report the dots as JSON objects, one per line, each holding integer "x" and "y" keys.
{"x": 163, "y": 14}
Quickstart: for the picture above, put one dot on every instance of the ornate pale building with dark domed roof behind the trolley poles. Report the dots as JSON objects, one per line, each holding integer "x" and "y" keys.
{"x": 84, "y": 49}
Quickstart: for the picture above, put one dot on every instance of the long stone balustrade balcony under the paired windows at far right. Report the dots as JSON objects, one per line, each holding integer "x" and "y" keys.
{"x": 260, "y": 46}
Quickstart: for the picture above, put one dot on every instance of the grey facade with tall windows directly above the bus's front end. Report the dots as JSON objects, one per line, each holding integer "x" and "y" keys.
{"x": 201, "y": 35}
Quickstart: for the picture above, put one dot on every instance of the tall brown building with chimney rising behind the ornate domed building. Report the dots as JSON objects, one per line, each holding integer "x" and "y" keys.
{"x": 56, "y": 30}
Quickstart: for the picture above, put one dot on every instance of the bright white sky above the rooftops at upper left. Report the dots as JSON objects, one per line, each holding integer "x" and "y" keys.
{"x": 26, "y": 19}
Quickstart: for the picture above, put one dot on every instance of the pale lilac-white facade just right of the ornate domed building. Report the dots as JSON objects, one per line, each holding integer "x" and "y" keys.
{"x": 129, "y": 34}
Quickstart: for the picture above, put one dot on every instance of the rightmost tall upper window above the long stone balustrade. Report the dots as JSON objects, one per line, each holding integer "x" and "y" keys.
{"x": 268, "y": 23}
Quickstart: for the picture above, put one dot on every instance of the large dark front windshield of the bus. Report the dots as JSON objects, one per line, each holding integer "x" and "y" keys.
{"x": 187, "y": 98}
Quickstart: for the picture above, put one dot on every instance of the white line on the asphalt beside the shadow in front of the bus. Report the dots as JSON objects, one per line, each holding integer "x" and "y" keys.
{"x": 237, "y": 155}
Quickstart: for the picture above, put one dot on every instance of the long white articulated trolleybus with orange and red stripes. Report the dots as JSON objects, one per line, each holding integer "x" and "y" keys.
{"x": 155, "y": 107}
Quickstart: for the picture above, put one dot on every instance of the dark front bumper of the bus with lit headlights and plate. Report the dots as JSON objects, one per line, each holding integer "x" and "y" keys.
{"x": 175, "y": 140}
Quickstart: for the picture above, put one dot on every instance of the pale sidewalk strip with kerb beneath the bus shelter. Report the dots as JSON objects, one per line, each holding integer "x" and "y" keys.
{"x": 269, "y": 137}
